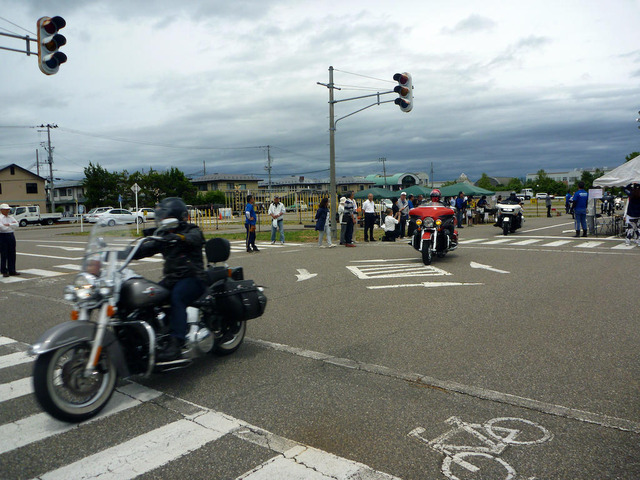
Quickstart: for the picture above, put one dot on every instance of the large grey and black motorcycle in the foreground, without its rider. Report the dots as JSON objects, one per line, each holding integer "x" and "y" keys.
{"x": 121, "y": 320}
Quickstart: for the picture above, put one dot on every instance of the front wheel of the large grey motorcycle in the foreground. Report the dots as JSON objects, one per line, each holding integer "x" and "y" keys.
{"x": 62, "y": 388}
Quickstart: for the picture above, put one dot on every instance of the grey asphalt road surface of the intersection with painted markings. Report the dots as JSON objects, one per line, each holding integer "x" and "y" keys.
{"x": 511, "y": 356}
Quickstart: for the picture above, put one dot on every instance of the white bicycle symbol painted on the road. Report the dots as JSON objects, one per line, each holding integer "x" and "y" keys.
{"x": 489, "y": 440}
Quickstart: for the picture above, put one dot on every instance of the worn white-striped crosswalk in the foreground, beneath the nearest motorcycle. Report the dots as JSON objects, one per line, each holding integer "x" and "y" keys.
{"x": 177, "y": 438}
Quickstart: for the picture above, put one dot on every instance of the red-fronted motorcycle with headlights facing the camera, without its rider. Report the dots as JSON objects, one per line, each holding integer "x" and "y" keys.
{"x": 433, "y": 231}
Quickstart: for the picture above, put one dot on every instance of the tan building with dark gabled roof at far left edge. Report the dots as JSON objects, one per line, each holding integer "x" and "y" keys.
{"x": 19, "y": 186}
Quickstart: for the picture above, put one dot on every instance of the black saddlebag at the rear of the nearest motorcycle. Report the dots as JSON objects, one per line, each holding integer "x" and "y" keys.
{"x": 239, "y": 299}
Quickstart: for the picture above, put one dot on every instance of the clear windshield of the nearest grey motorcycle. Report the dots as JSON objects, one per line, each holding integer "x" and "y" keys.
{"x": 103, "y": 240}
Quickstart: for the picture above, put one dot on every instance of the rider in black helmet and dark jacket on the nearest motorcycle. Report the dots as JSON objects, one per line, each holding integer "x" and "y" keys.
{"x": 184, "y": 273}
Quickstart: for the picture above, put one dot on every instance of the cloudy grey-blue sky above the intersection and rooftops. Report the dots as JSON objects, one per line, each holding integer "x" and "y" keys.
{"x": 500, "y": 87}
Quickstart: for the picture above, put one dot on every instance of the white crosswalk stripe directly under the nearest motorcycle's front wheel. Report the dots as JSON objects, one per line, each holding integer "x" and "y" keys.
{"x": 40, "y": 426}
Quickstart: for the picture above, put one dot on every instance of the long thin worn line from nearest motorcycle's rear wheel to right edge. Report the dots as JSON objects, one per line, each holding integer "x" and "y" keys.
{"x": 476, "y": 392}
